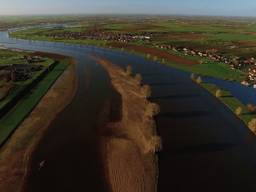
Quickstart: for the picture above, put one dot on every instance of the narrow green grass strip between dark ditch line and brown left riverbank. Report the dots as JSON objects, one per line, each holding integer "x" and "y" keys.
{"x": 13, "y": 118}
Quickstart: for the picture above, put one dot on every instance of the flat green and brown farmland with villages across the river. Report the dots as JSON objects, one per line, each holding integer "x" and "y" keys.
{"x": 228, "y": 44}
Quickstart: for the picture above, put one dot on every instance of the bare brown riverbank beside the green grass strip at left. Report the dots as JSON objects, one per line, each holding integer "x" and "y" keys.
{"x": 15, "y": 154}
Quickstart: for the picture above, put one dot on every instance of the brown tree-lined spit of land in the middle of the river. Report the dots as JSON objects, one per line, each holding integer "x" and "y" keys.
{"x": 130, "y": 140}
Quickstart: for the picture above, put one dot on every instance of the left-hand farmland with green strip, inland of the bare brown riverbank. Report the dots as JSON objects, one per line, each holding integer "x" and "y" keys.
{"x": 23, "y": 95}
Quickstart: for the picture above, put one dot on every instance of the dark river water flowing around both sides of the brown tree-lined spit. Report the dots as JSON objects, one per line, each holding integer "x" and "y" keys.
{"x": 205, "y": 147}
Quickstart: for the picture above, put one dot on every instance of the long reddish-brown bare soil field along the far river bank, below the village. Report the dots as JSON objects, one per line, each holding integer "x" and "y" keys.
{"x": 155, "y": 53}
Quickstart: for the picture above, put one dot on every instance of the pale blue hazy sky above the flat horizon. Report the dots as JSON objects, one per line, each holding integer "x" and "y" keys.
{"x": 172, "y": 7}
